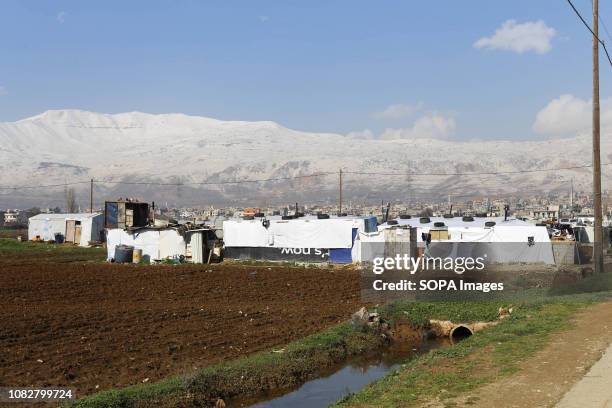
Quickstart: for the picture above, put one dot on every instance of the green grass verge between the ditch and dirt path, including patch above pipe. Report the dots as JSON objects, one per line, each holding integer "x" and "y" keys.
{"x": 482, "y": 358}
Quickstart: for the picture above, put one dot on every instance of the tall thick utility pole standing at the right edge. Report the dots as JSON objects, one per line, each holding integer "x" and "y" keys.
{"x": 597, "y": 244}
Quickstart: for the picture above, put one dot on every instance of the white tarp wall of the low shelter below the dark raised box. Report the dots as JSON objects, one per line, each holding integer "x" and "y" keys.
{"x": 155, "y": 244}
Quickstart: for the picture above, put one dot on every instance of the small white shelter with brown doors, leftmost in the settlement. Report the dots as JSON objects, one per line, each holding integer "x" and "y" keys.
{"x": 80, "y": 228}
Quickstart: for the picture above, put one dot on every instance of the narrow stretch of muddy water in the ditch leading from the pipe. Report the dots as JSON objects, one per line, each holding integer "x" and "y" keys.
{"x": 344, "y": 379}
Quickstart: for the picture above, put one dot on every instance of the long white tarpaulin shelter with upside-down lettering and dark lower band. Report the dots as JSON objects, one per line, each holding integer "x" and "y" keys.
{"x": 308, "y": 239}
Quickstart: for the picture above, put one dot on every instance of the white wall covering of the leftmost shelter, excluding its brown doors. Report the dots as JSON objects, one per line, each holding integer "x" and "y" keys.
{"x": 46, "y": 226}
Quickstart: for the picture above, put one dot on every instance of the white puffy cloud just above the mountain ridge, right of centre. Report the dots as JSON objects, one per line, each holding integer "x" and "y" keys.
{"x": 432, "y": 126}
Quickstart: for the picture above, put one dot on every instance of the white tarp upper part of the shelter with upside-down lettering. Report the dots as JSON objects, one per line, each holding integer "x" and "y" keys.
{"x": 295, "y": 233}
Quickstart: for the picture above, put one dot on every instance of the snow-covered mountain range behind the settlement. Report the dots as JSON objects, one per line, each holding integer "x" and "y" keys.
{"x": 62, "y": 146}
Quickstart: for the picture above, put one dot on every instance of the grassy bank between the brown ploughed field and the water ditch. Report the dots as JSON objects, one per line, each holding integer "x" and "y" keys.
{"x": 275, "y": 369}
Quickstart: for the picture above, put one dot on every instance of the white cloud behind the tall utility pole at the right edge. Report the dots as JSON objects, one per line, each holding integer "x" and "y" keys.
{"x": 569, "y": 115}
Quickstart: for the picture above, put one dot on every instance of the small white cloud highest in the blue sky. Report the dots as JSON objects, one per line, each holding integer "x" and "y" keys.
{"x": 519, "y": 37}
